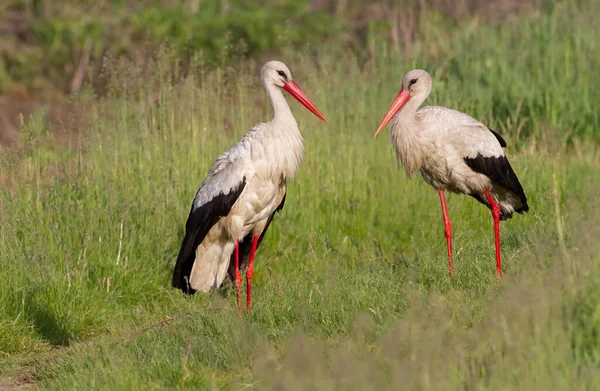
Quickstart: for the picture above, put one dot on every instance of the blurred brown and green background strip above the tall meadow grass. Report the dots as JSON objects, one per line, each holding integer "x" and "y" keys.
{"x": 50, "y": 48}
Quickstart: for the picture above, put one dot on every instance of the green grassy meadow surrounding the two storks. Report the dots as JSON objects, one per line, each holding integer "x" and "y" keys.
{"x": 351, "y": 286}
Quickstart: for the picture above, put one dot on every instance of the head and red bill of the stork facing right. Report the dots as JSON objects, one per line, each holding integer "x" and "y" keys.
{"x": 276, "y": 73}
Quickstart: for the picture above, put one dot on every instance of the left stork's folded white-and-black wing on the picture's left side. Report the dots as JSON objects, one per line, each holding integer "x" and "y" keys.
{"x": 217, "y": 195}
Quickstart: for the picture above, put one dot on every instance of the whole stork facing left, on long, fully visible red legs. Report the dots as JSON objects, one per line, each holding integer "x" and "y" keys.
{"x": 453, "y": 152}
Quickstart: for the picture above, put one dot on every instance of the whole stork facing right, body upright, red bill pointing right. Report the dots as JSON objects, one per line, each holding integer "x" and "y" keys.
{"x": 244, "y": 189}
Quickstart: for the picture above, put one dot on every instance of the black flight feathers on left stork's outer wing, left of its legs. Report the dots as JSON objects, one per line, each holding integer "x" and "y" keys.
{"x": 199, "y": 223}
